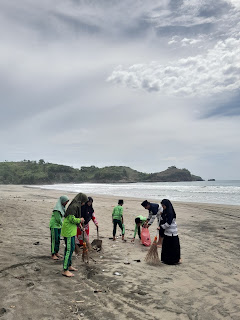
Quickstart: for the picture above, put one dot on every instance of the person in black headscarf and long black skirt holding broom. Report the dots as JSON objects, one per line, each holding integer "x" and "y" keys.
{"x": 171, "y": 246}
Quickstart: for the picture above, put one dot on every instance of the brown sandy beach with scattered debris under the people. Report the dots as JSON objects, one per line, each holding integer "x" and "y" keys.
{"x": 206, "y": 286}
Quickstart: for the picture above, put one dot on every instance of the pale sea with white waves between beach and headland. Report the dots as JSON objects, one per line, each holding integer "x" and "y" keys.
{"x": 216, "y": 192}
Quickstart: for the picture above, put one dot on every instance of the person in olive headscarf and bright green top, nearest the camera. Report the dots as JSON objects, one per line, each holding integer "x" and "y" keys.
{"x": 69, "y": 231}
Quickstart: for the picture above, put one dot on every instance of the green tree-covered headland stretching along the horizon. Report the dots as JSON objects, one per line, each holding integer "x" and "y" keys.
{"x": 41, "y": 172}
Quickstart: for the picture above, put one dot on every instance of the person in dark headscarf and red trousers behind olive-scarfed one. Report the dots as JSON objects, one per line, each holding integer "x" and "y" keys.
{"x": 87, "y": 212}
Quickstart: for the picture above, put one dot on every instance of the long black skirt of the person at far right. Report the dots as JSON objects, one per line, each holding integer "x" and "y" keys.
{"x": 170, "y": 250}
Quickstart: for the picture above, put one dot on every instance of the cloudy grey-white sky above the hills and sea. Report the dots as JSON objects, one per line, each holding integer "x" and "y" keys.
{"x": 144, "y": 84}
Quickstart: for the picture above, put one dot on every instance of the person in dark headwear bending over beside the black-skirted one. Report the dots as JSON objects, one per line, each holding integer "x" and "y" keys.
{"x": 154, "y": 211}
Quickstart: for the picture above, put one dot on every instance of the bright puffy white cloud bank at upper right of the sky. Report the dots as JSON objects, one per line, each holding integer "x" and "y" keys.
{"x": 214, "y": 72}
